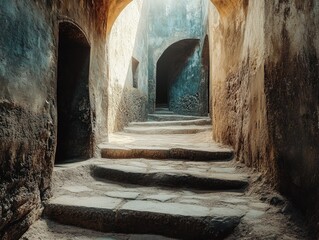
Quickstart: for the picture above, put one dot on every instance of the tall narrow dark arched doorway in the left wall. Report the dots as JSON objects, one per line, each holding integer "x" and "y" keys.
{"x": 73, "y": 100}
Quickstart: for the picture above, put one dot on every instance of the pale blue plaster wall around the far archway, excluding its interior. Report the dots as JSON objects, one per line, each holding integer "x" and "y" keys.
{"x": 169, "y": 22}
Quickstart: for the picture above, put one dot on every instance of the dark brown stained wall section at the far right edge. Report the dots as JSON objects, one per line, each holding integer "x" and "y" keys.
{"x": 292, "y": 90}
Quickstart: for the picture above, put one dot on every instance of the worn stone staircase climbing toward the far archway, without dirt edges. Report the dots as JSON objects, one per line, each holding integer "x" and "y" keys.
{"x": 158, "y": 177}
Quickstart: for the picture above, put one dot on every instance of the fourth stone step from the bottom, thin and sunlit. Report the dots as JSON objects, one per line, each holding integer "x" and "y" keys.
{"x": 187, "y": 129}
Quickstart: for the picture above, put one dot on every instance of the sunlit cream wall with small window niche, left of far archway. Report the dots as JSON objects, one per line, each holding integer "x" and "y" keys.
{"x": 127, "y": 40}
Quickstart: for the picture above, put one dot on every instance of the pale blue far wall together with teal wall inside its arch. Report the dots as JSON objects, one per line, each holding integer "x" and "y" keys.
{"x": 169, "y": 22}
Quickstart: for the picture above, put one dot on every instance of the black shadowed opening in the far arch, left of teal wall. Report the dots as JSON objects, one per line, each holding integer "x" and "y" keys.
{"x": 169, "y": 65}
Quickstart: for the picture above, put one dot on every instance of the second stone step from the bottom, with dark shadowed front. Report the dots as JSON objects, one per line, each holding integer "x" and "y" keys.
{"x": 172, "y": 178}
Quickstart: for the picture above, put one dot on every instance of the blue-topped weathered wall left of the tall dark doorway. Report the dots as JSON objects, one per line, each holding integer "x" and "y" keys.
{"x": 27, "y": 113}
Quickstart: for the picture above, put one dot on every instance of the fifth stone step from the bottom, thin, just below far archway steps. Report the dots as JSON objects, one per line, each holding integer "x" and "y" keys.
{"x": 197, "y": 122}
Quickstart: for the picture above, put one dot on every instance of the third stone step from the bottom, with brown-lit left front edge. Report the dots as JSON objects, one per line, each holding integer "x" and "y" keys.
{"x": 183, "y": 153}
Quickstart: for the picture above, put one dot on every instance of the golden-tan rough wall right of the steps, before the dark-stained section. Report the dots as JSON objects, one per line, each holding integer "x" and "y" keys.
{"x": 237, "y": 72}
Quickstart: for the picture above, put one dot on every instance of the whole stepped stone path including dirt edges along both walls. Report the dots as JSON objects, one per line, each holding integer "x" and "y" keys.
{"x": 166, "y": 178}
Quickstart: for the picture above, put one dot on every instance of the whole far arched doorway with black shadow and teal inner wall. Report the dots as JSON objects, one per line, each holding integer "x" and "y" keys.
{"x": 181, "y": 84}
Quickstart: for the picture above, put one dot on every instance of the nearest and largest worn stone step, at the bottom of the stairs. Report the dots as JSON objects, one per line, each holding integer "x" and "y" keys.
{"x": 176, "y": 220}
